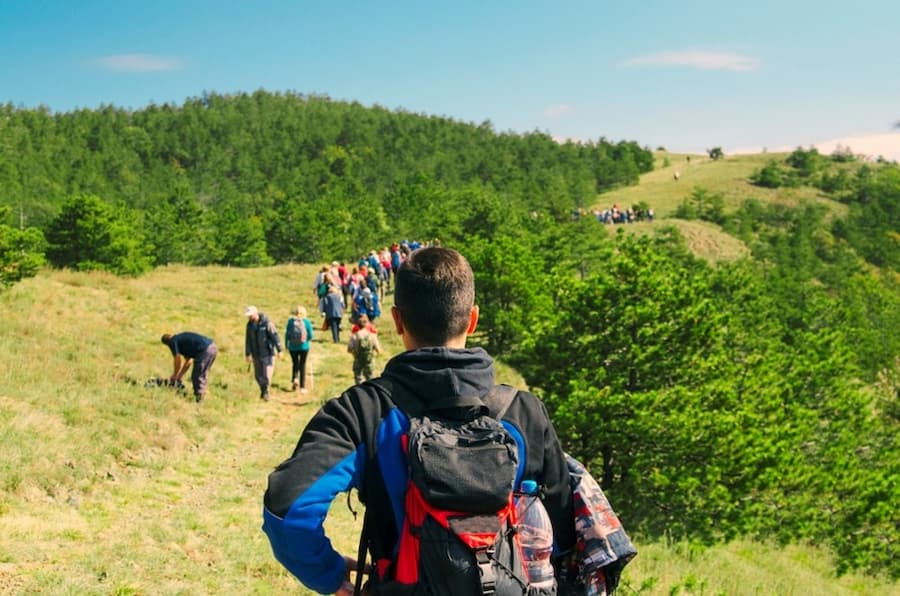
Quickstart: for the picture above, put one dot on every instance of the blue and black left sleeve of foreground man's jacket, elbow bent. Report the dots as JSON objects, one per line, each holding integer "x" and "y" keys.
{"x": 329, "y": 459}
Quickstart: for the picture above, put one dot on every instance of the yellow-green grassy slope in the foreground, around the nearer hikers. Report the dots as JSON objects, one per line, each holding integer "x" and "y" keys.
{"x": 107, "y": 487}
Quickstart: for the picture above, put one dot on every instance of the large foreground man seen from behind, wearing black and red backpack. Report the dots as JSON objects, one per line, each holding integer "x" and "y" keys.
{"x": 436, "y": 451}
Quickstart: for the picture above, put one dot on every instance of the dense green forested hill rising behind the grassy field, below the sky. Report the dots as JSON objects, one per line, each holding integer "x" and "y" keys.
{"x": 255, "y": 179}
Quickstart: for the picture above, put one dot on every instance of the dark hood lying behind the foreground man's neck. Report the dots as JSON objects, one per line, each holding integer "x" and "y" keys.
{"x": 430, "y": 374}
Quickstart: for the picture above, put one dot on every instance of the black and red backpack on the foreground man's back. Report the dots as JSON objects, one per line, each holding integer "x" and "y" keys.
{"x": 458, "y": 533}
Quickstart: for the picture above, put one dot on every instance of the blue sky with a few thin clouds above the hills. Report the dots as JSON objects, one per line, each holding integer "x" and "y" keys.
{"x": 684, "y": 74}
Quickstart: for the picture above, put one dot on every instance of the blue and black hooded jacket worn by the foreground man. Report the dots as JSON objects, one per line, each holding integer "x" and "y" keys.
{"x": 353, "y": 441}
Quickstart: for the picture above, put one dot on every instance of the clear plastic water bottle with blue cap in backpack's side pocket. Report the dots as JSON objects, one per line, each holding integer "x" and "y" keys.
{"x": 535, "y": 536}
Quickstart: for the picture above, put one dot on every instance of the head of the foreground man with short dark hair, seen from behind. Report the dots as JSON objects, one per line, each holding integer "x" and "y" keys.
{"x": 435, "y": 292}
